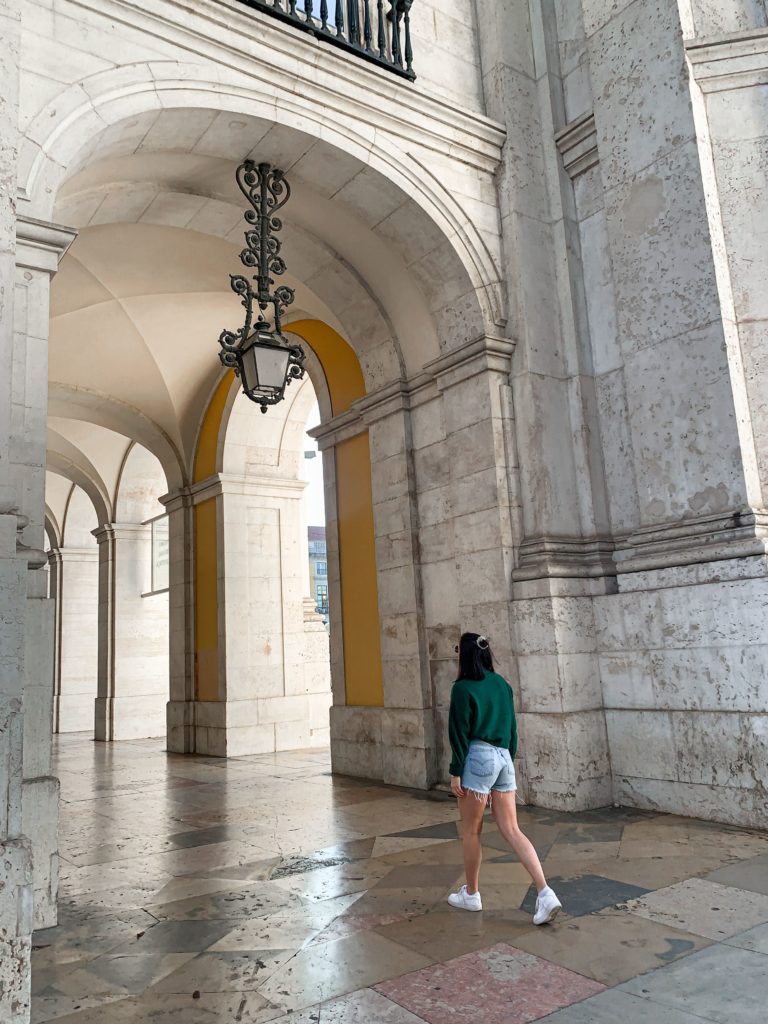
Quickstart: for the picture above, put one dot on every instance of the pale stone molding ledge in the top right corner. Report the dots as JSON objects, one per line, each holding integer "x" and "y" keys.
{"x": 734, "y": 62}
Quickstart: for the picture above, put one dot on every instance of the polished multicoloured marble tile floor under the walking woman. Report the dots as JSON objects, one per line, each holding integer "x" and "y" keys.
{"x": 263, "y": 889}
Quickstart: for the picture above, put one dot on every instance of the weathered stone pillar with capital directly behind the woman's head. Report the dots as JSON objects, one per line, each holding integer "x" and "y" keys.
{"x": 468, "y": 509}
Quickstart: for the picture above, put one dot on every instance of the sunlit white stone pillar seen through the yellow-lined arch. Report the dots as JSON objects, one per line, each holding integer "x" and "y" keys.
{"x": 271, "y": 695}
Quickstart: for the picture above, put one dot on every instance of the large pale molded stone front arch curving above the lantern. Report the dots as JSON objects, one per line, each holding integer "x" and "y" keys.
{"x": 462, "y": 273}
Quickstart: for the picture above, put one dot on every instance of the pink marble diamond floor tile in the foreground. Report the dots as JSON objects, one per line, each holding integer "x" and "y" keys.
{"x": 500, "y": 986}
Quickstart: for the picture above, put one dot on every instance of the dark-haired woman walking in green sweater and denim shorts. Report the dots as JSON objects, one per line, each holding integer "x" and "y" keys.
{"x": 484, "y": 742}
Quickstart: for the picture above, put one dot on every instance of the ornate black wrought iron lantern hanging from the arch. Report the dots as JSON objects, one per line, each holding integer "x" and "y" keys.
{"x": 261, "y": 355}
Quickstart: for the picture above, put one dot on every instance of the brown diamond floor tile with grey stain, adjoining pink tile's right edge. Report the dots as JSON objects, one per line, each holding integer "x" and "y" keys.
{"x": 612, "y": 947}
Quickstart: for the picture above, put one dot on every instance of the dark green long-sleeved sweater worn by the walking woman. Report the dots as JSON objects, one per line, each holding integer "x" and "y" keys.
{"x": 481, "y": 710}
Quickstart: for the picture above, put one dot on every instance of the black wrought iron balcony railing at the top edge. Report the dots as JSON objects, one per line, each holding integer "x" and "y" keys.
{"x": 375, "y": 30}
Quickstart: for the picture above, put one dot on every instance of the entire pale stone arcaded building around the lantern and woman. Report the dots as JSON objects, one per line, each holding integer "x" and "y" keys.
{"x": 531, "y": 285}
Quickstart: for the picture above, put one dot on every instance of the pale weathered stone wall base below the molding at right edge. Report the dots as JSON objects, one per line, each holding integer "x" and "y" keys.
{"x": 684, "y": 653}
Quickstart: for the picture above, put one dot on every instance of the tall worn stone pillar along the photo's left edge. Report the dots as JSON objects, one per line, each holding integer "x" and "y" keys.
{"x": 28, "y": 793}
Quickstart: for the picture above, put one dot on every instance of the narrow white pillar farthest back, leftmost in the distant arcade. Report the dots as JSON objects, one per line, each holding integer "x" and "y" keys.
{"x": 76, "y": 666}
